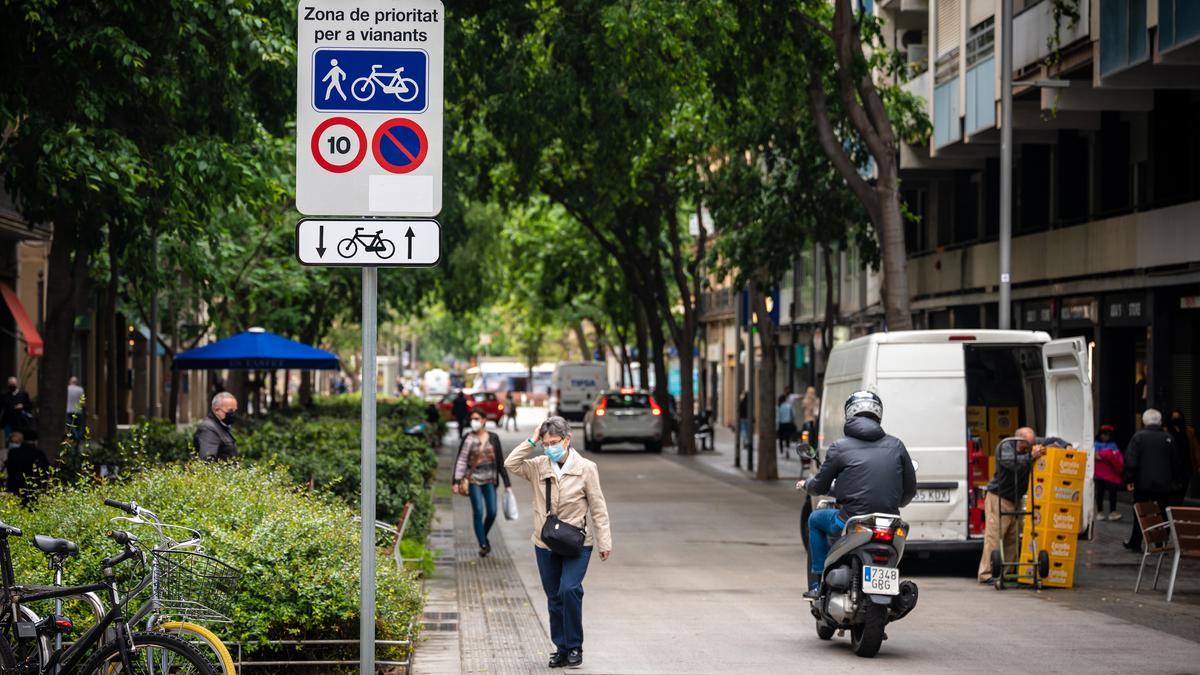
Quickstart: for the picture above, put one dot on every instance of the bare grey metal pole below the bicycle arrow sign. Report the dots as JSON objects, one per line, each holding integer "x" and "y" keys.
{"x": 367, "y": 543}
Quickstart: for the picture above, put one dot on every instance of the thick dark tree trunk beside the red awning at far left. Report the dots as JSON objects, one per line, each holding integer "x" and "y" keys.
{"x": 67, "y": 284}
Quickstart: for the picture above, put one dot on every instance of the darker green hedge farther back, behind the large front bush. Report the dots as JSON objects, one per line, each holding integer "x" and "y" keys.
{"x": 326, "y": 452}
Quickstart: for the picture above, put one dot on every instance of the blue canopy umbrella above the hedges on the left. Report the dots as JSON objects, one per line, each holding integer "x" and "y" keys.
{"x": 256, "y": 350}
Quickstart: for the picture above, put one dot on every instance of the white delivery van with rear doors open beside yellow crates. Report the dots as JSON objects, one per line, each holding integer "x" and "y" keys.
{"x": 927, "y": 380}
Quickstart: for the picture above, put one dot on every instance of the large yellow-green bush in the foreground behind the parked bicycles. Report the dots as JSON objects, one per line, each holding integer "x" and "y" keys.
{"x": 298, "y": 548}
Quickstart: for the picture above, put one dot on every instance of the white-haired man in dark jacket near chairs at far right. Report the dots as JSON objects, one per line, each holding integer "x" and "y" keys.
{"x": 1153, "y": 469}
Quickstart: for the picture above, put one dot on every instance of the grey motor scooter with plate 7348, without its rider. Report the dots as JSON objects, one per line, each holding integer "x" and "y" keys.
{"x": 861, "y": 588}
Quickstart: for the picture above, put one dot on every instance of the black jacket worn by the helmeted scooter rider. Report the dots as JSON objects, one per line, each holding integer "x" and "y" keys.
{"x": 874, "y": 471}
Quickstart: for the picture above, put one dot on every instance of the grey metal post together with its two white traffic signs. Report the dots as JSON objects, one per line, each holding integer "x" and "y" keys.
{"x": 369, "y": 144}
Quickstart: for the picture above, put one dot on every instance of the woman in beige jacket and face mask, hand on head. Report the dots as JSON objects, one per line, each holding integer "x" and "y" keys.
{"x": 577, "y": 499}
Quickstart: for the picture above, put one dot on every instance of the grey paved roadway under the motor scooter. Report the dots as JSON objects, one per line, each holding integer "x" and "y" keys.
{"x": 707, "y": 576}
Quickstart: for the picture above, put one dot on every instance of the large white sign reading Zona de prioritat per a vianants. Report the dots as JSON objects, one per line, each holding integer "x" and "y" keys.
{"x": 370, "y": 107}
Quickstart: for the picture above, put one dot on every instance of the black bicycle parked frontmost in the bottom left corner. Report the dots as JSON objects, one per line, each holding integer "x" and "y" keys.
{"x": 112, "y": 647}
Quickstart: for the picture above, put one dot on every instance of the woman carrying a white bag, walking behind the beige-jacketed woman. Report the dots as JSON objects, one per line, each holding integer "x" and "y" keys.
{"x": 478, "y": 474}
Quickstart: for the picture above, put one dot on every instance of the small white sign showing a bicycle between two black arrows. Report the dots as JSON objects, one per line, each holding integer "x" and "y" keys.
{"x": 369, "y": 243}
